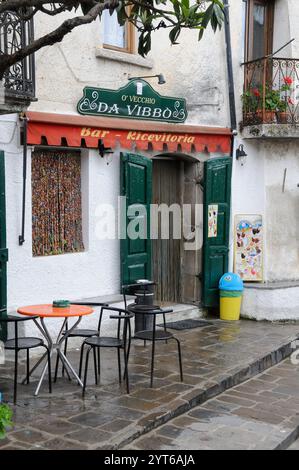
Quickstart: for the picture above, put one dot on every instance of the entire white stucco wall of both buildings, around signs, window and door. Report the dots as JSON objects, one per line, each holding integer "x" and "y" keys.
{"x": 195, "y": 71}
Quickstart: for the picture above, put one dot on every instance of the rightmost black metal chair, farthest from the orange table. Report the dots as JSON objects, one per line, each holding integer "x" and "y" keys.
{"x": 154, "y": 335}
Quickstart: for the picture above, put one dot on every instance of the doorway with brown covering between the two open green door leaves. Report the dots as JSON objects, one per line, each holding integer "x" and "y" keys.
{"x": 176, "y": 261}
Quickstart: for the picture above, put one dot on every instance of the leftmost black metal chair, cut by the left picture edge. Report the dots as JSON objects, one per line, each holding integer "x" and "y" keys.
{"x": 23, "y": 343}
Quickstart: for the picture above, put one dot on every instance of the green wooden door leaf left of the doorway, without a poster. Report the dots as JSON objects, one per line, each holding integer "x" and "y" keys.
{"x": 136, "y": 186}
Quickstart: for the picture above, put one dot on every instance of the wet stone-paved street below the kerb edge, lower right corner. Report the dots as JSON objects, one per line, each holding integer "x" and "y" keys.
{"x": 262, "y": 413}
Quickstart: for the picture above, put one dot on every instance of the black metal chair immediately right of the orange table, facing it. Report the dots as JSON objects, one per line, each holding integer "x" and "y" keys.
{"x": 121, "y": 341}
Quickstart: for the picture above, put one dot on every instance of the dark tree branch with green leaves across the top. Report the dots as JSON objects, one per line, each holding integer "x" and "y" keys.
{"x": 146, "y": 15}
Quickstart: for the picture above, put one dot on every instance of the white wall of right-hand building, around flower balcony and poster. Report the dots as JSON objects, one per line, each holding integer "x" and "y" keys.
{"x": 257, "y": 185}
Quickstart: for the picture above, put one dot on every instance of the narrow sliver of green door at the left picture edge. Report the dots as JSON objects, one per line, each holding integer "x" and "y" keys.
{"x": 3, "y": 249}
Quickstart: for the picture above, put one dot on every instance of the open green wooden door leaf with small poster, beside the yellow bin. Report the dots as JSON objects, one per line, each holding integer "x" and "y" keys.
{"x": 217, "y": 192}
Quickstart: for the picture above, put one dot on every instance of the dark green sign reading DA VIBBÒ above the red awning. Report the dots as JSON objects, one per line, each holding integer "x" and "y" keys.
{"x": 136, "y": 100}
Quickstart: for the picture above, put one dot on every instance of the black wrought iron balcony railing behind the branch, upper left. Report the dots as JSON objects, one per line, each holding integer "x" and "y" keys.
{"x": 15, "y": 34}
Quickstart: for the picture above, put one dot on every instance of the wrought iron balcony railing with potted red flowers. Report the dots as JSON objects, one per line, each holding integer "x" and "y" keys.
{"x": 271, "y": 91}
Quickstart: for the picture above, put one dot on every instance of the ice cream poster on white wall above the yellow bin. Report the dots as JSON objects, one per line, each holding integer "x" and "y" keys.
{"x": 248, "y": 259}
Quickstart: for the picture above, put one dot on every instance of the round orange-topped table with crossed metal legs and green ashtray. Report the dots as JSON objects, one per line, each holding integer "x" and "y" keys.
{"x": 48, "y": 311}
